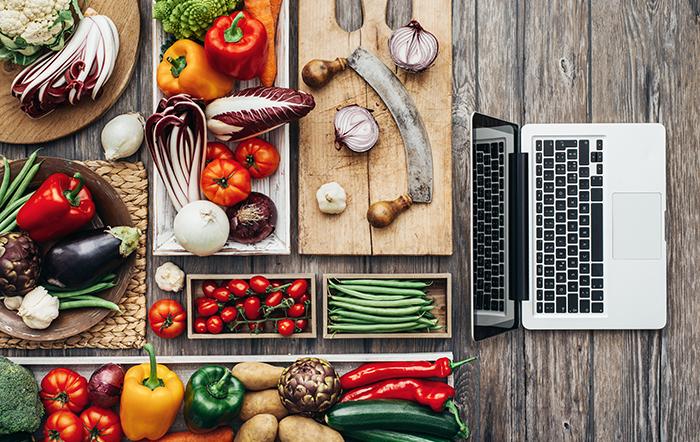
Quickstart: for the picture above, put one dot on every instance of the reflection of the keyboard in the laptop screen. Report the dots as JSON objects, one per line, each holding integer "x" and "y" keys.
{"x": 488, "y": 213}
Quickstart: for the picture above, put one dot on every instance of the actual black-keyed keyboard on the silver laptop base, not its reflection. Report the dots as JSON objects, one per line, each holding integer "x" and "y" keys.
{"x": 569, "y": 226}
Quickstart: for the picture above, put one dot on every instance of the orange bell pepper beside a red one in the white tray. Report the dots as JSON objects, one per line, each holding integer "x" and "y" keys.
{"x": 186, "y": 70}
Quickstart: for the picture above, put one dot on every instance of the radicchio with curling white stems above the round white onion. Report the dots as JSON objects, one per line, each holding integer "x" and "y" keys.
{"x": 177, "y": 136}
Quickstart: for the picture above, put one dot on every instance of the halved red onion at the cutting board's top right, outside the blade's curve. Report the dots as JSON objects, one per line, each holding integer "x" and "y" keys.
{"x": 413, "y": 48}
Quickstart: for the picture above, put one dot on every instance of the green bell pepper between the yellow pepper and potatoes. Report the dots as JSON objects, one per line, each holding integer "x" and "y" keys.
{"x": 213, "y": 397}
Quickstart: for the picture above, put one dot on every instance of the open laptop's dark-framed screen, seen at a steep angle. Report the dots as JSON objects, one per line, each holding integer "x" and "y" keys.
{"x": 494, "y": 308}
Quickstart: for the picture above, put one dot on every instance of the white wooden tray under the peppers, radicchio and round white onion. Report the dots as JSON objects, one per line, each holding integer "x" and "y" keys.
{"x": 277, "y": 187}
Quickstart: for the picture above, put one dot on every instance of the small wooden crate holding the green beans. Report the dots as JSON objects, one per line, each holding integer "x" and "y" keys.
{"x": 440, "y": 291}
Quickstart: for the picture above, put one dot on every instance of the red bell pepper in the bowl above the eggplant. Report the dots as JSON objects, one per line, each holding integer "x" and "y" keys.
{"x": 60, "y": 206}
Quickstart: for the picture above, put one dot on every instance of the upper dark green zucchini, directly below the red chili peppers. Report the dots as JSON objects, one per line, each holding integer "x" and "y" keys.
{"x": 348, "y": 417}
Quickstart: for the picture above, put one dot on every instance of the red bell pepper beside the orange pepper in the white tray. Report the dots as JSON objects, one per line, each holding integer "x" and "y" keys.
{"x": 236, "y": 45}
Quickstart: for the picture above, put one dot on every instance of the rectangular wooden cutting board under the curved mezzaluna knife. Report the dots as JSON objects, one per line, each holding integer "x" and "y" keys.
{"x": 425, "y": 229}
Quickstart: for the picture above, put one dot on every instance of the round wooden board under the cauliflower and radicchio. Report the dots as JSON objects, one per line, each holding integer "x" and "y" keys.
{"x": 17, "y": 128}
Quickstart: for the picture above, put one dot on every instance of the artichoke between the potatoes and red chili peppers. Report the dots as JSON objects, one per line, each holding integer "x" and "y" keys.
{"x": 309, "y": 387}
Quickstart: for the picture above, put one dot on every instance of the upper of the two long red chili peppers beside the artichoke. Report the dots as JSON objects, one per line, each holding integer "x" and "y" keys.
{"x": 379, "y": 371}
